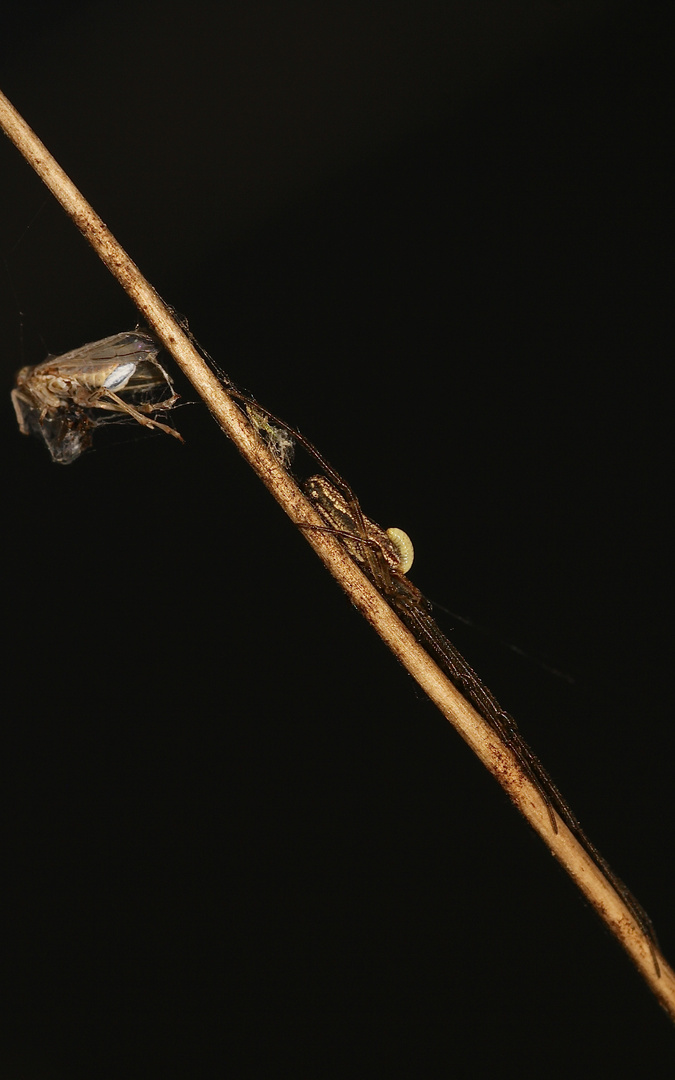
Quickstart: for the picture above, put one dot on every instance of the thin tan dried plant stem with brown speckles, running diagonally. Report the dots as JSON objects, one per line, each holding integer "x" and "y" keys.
{"x": 494, "y": 754}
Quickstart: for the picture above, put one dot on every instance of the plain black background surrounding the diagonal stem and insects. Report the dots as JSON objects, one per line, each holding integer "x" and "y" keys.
{"x": 437, "y": 238}
